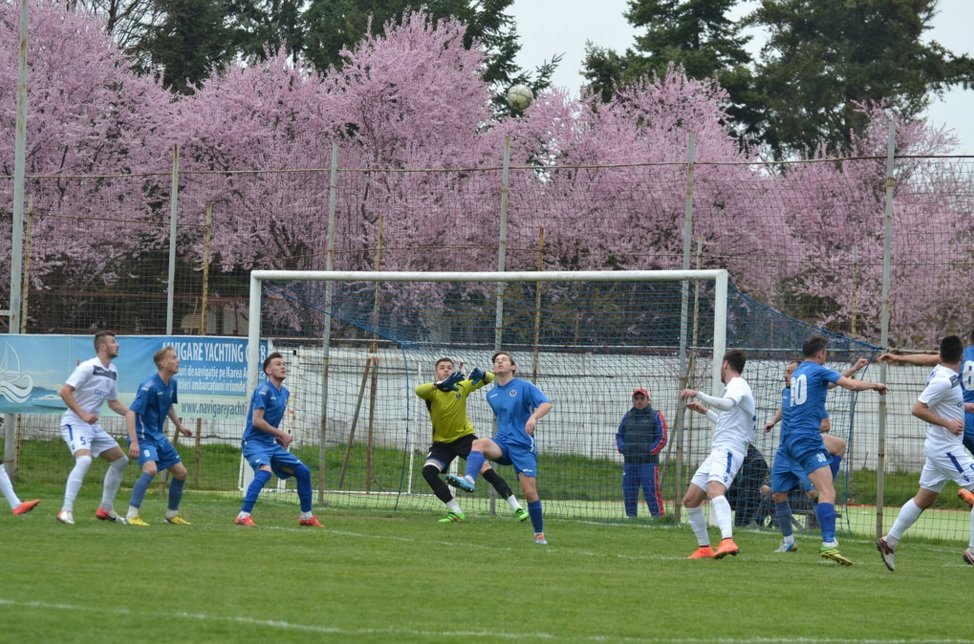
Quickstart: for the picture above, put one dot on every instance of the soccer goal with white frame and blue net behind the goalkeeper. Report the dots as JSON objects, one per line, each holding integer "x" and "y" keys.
{"x": 358, "y": 343}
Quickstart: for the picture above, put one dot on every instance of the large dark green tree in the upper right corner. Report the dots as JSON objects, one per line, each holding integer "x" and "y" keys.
{"x": 823, "y": 57}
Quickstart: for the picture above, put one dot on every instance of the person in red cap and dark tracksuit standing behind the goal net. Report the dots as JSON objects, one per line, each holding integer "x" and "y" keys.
{"x": 640, "y": 438}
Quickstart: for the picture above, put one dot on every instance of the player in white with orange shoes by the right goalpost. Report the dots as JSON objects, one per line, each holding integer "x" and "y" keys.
{"x": 734, "y": 429}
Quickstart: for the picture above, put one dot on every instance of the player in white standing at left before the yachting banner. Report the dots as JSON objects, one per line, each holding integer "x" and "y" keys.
{"x": 90, "y": 385}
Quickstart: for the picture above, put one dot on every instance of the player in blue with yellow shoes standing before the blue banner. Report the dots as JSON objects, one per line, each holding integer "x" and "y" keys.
{"x": 145, "y": 420}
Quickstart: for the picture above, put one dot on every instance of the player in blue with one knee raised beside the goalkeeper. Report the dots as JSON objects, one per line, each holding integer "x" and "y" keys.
{"x": 518, "y": 405}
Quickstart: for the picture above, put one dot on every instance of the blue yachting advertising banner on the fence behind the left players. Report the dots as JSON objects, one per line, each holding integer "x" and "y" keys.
{"x": 212, "y": 371}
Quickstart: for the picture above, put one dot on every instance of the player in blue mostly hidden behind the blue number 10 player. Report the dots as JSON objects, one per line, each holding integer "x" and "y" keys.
{"x": 786, "y": 475}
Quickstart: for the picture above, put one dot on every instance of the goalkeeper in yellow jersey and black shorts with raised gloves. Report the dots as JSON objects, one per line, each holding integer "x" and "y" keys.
{"x": 453, "y": 435}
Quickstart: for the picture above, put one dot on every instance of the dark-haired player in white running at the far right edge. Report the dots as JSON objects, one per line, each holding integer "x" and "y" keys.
{"x": 941, "y": 405}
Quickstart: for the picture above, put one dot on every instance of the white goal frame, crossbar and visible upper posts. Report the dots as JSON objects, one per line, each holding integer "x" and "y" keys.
{"x": 718, "y": 276}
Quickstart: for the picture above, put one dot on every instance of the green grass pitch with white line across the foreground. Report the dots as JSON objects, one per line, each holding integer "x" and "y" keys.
{"x": 375, "y": 576}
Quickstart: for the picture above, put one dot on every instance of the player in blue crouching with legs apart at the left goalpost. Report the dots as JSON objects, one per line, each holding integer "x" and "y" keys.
{"x": 265, "y": 444}
